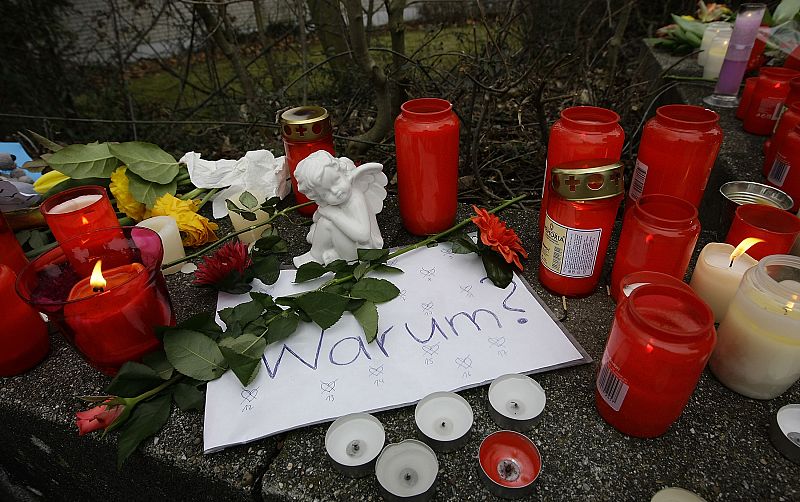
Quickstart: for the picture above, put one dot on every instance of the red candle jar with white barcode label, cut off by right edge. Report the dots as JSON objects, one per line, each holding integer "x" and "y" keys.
{"x": 784, "y": 171}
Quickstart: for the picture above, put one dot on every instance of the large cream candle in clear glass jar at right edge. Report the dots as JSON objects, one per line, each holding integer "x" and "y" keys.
{"x": 758, "y": 352}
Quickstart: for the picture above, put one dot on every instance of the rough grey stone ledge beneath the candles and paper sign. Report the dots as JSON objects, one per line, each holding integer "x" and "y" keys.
{"x": 718, "y": 448}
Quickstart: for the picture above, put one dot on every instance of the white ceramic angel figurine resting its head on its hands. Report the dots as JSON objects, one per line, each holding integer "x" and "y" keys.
{"x": 348, "y": 197}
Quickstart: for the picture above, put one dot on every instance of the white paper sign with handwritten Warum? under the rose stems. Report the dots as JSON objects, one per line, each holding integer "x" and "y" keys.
{"x": 449, "y": 329}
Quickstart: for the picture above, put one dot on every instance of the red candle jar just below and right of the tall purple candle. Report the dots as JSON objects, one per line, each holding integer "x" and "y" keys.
{"x": 769, "y": 93}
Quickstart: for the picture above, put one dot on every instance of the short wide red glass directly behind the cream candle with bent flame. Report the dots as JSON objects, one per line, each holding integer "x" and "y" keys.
{"x": 778, "y": 229}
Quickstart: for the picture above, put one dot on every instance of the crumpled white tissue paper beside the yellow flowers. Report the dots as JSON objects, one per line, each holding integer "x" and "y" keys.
{"x": 258, "y": 172}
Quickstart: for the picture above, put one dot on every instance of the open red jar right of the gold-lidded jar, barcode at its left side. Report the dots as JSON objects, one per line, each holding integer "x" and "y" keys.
{"x": 678, "y": 149}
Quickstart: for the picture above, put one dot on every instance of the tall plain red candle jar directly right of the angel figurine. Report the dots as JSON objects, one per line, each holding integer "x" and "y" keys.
{"x": 426, "y": 139}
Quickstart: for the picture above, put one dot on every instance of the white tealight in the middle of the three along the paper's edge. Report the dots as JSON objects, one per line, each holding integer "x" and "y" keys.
{"x": 444, "y": 419}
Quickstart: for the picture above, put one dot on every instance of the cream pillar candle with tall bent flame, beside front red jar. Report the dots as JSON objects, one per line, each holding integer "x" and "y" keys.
{"x": 718, "y": 272}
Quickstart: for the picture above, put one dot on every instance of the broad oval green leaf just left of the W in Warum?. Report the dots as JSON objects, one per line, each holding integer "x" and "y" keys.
{"x": 194, "y": 354}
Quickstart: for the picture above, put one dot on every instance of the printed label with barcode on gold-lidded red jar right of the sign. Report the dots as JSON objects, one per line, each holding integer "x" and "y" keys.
{"x": 570, "y": 252}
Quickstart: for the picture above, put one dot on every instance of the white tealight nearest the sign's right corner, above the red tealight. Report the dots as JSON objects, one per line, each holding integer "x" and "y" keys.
{"x": 516, "y": 401}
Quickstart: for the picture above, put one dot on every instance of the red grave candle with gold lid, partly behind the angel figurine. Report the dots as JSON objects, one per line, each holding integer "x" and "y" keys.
{"x": 305, "y": 129}
